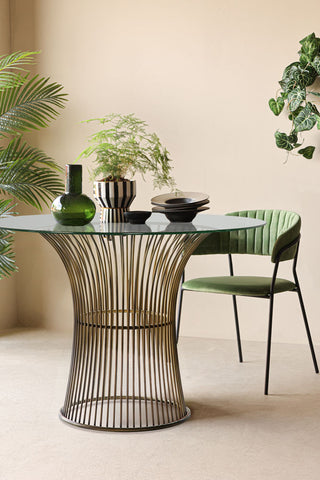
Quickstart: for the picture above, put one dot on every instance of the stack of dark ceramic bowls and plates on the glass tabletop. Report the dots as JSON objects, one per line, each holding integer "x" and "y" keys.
{"x": 180, "y": 207}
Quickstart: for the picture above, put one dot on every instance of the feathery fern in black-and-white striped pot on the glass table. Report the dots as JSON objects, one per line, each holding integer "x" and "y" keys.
{"x": 123, "y": 148}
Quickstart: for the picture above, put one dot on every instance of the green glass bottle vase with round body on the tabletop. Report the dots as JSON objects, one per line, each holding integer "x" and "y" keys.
{"x": 73, "y": 207}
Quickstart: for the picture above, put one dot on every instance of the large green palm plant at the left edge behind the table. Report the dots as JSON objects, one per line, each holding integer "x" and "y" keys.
{"x": 27, "y": 102}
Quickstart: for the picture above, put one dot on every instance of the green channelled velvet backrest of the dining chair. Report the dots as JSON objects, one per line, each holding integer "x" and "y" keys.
{"x": 282, "y": 227}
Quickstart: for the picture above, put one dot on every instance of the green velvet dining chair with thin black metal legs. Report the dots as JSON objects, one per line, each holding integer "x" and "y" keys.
{"x": 278, "y": 239}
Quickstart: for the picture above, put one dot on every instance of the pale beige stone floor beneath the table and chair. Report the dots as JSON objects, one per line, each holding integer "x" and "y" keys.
{"x": 235, "y": 432}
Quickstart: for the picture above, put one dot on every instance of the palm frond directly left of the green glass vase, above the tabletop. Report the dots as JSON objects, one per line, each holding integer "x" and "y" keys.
{"x": 28, "y": 174}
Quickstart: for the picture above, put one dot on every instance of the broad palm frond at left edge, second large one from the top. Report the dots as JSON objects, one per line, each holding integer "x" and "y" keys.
{"x": 30, "y": 106}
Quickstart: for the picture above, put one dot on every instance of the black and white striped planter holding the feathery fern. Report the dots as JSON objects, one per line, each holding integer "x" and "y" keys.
{"x": 114, "y": 199}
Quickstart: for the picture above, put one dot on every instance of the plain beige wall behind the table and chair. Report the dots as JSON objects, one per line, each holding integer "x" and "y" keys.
{"x": 200, "y": 73}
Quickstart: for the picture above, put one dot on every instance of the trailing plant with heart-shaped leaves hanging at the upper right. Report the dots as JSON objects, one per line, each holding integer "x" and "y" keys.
{"x": 299, "y": 100}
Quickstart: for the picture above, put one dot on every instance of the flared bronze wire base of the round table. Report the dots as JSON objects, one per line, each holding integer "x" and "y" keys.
{"x": 124, "y": 372}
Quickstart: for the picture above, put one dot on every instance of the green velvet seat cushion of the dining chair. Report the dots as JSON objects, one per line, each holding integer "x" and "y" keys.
{"x": 238, "y": 285}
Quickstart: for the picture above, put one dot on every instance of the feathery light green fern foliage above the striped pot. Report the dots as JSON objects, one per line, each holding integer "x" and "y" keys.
{"x": 124, "y": 147}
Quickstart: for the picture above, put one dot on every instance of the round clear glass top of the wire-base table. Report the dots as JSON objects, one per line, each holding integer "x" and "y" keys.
{"x": 157, "y": 224}
